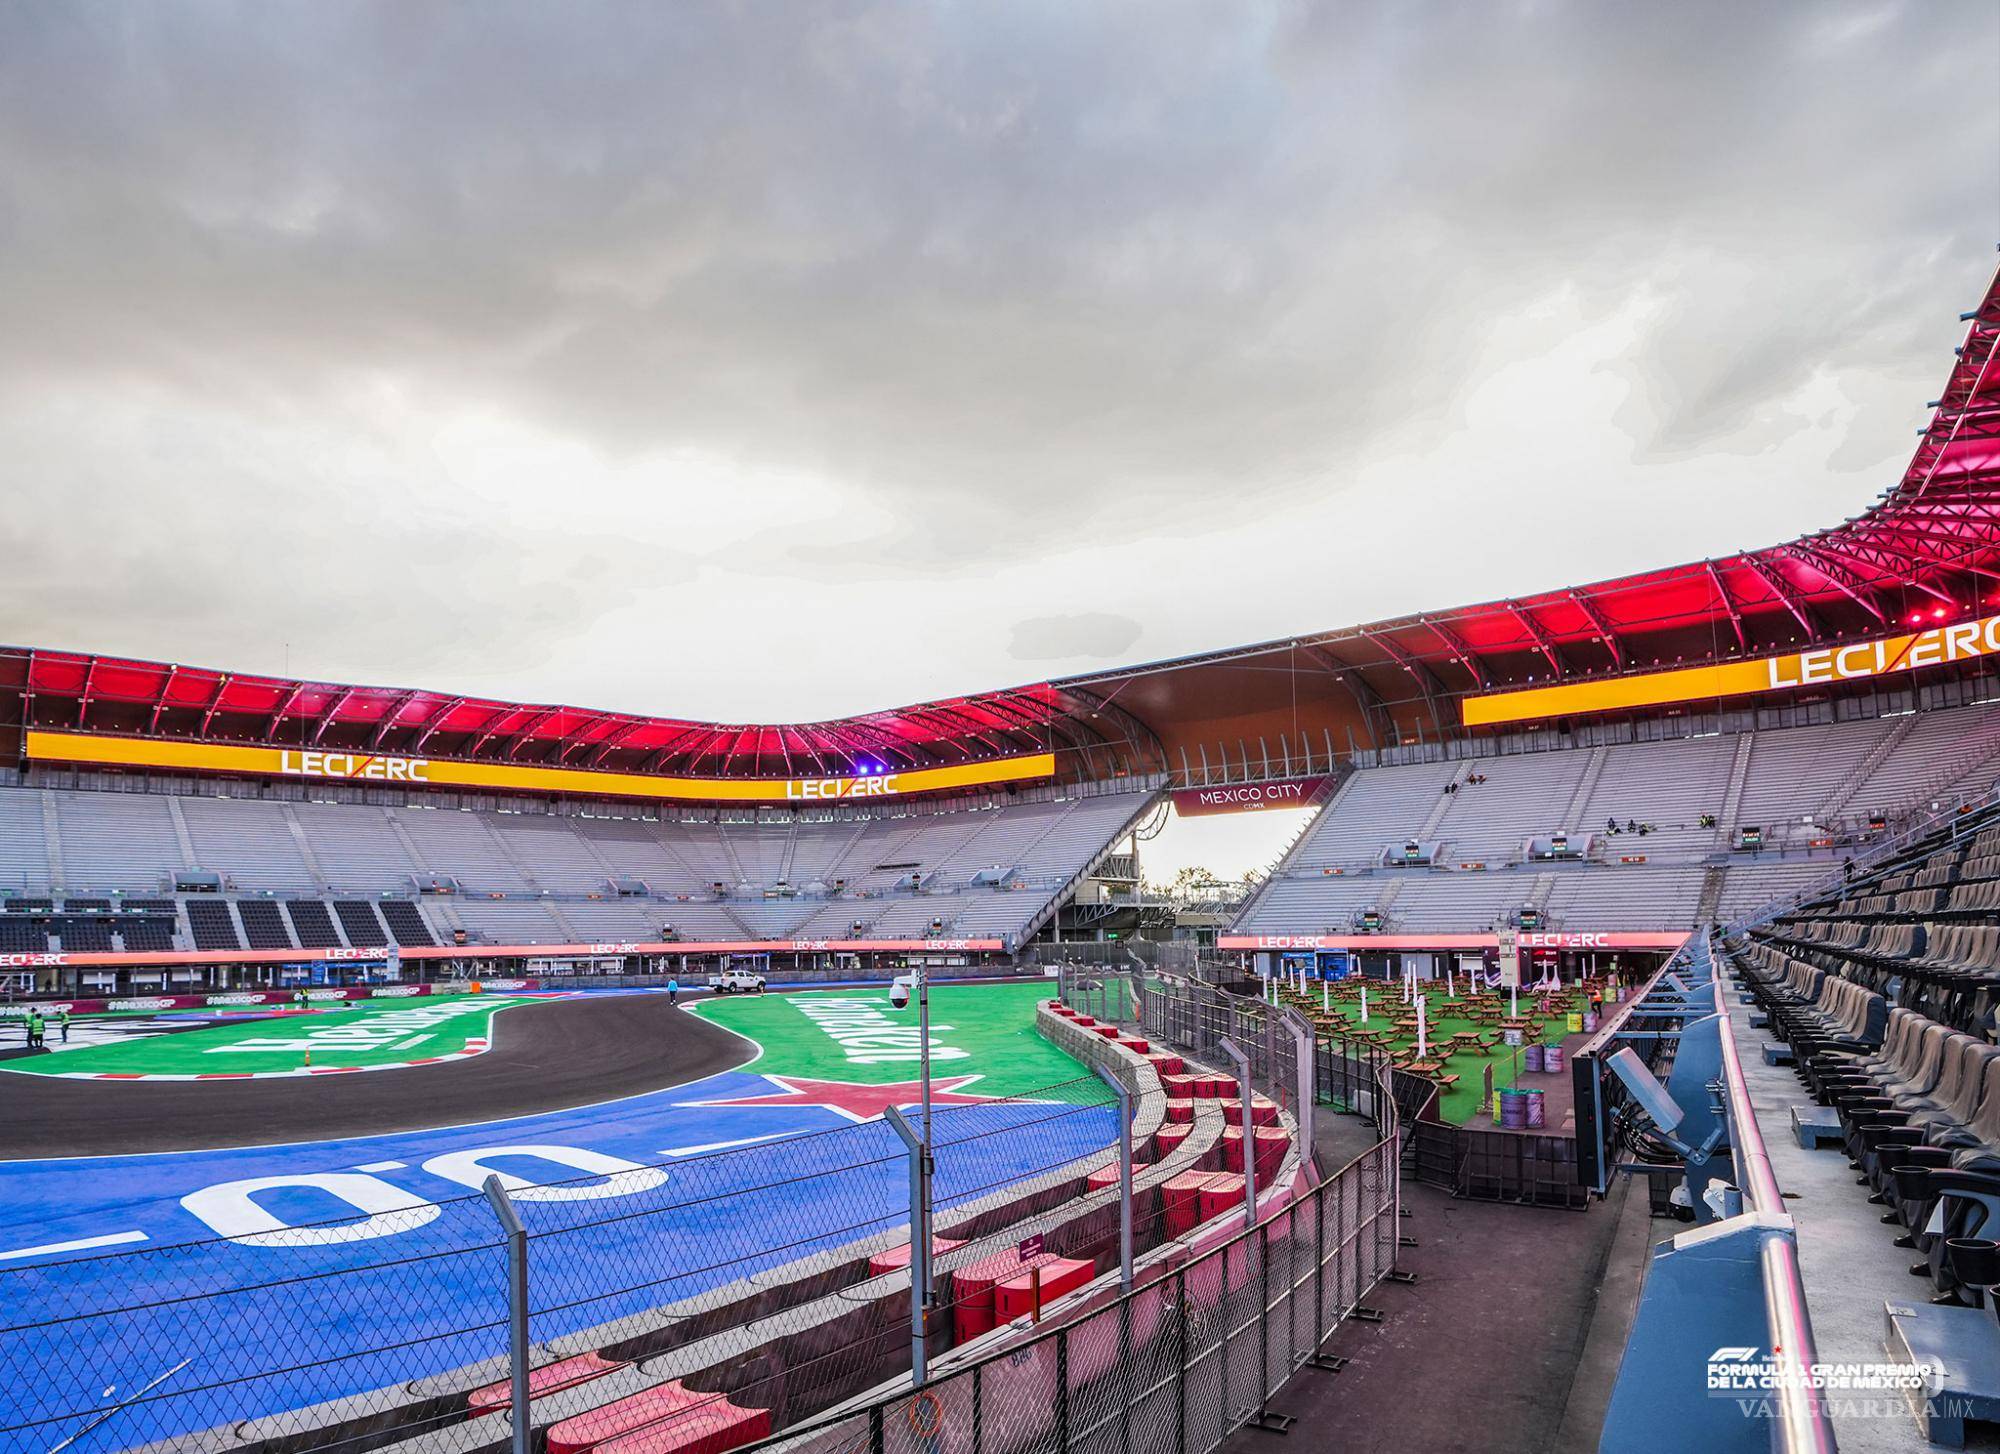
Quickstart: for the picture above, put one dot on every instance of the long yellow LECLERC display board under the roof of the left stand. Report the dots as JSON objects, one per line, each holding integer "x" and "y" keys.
{"x": 507, "y": 777}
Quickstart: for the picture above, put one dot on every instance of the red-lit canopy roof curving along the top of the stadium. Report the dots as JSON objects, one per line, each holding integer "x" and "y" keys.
{"x": 1927, "y": 551}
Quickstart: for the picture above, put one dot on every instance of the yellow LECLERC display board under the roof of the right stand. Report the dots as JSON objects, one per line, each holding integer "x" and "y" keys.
{"x": 1851, "y": 663}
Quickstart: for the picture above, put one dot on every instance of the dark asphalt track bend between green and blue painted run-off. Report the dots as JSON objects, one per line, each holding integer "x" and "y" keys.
{"x": 545, "y": 1057}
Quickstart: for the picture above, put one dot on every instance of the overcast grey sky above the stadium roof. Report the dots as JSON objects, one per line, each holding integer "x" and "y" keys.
{"x": 779, "y": 361}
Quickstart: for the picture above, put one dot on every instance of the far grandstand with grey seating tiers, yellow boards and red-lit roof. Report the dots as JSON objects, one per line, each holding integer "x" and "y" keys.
{"x": 1637, "y": 755}
